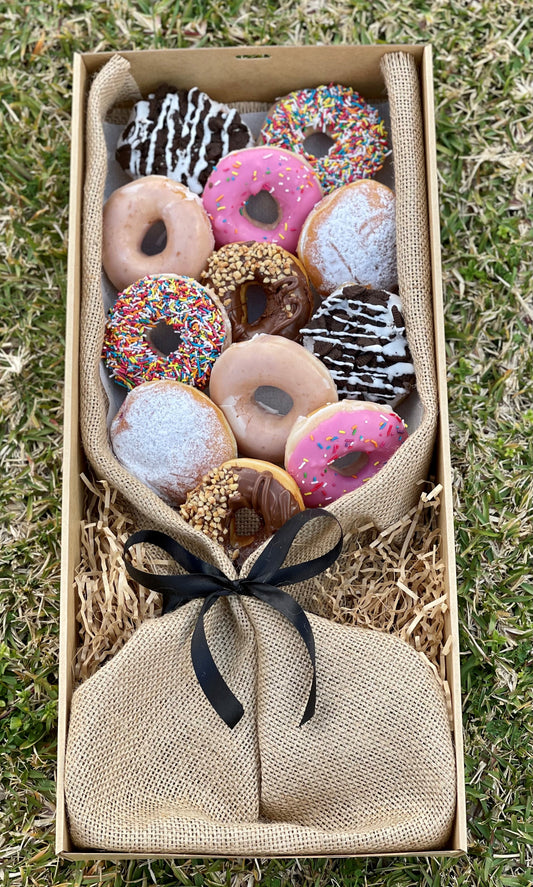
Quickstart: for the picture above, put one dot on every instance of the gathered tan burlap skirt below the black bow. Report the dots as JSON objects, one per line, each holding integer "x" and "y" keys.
{"x": 151, "y": 768}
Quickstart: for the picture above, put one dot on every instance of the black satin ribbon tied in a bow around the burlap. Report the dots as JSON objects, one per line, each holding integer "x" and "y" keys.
{"x": 263, "y": 582}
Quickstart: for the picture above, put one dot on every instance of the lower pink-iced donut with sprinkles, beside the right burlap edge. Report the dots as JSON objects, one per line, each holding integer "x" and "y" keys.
{"x": 335, "y": 432}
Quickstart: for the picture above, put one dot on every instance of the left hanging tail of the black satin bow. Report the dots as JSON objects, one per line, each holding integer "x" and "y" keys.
{"x": 225, "y": 703}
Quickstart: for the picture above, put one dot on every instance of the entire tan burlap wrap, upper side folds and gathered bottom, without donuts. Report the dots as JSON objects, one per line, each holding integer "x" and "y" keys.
{"x": 150, "y": 767}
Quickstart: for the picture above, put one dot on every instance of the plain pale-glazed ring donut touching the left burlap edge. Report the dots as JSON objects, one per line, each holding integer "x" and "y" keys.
{"x": 129, "y": 214}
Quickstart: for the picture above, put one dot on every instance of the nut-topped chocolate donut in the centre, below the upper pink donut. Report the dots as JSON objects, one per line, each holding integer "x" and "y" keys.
{"x": 240, "y": 272}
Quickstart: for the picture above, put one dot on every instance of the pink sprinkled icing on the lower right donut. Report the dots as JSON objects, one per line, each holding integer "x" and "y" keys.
{"x": 375, "y": 434}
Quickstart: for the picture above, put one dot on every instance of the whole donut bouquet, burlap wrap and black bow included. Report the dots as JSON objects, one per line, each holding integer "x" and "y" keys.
{"x": 247, "y": 354}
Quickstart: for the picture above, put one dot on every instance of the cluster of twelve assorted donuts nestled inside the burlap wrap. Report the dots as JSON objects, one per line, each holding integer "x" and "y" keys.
{"x": 257, "y": 326}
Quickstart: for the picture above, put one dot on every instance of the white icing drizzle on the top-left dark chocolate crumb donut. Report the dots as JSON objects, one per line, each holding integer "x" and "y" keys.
{"x": 143, "y": 135}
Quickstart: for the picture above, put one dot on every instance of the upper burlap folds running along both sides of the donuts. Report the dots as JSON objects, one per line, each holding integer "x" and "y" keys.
{"x": 395, "y": 488}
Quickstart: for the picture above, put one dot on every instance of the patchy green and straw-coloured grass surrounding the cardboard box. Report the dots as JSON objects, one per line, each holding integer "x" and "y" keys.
{"x": 484, "y": 94}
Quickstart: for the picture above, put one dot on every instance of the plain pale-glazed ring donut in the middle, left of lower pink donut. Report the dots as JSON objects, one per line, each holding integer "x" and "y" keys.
{"x": 241, "y": 384}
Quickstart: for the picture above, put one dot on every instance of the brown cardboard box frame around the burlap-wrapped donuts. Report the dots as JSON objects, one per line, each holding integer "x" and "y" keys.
{"x": 242, "y": 74}
